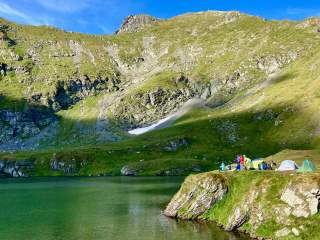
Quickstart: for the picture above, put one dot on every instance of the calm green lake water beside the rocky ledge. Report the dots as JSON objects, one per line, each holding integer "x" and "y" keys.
{"x": 95, "y": 208}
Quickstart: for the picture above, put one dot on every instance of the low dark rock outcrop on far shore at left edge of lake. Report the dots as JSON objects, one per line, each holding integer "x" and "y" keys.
{"x": 16, "y": 168}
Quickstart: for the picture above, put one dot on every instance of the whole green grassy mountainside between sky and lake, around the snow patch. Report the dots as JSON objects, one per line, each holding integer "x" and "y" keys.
{"x": 265, "y": 72}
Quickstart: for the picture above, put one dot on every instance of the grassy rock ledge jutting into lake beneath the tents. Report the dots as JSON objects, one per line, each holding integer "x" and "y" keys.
{"x": 266, "y": 205}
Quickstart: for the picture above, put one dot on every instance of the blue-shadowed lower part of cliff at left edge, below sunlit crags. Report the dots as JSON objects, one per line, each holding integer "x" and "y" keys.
{"x": 17, "y": 125}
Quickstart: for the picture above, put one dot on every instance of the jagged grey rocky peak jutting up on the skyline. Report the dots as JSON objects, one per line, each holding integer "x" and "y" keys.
{"x": 134, "y": 23}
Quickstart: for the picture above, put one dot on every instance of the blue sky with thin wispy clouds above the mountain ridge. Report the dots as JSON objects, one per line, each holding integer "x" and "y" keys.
{"x": 105, "y": 16}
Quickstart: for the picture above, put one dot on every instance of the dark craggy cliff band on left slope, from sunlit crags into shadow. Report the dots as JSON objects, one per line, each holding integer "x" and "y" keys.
{"x": 15, "y": 126}
